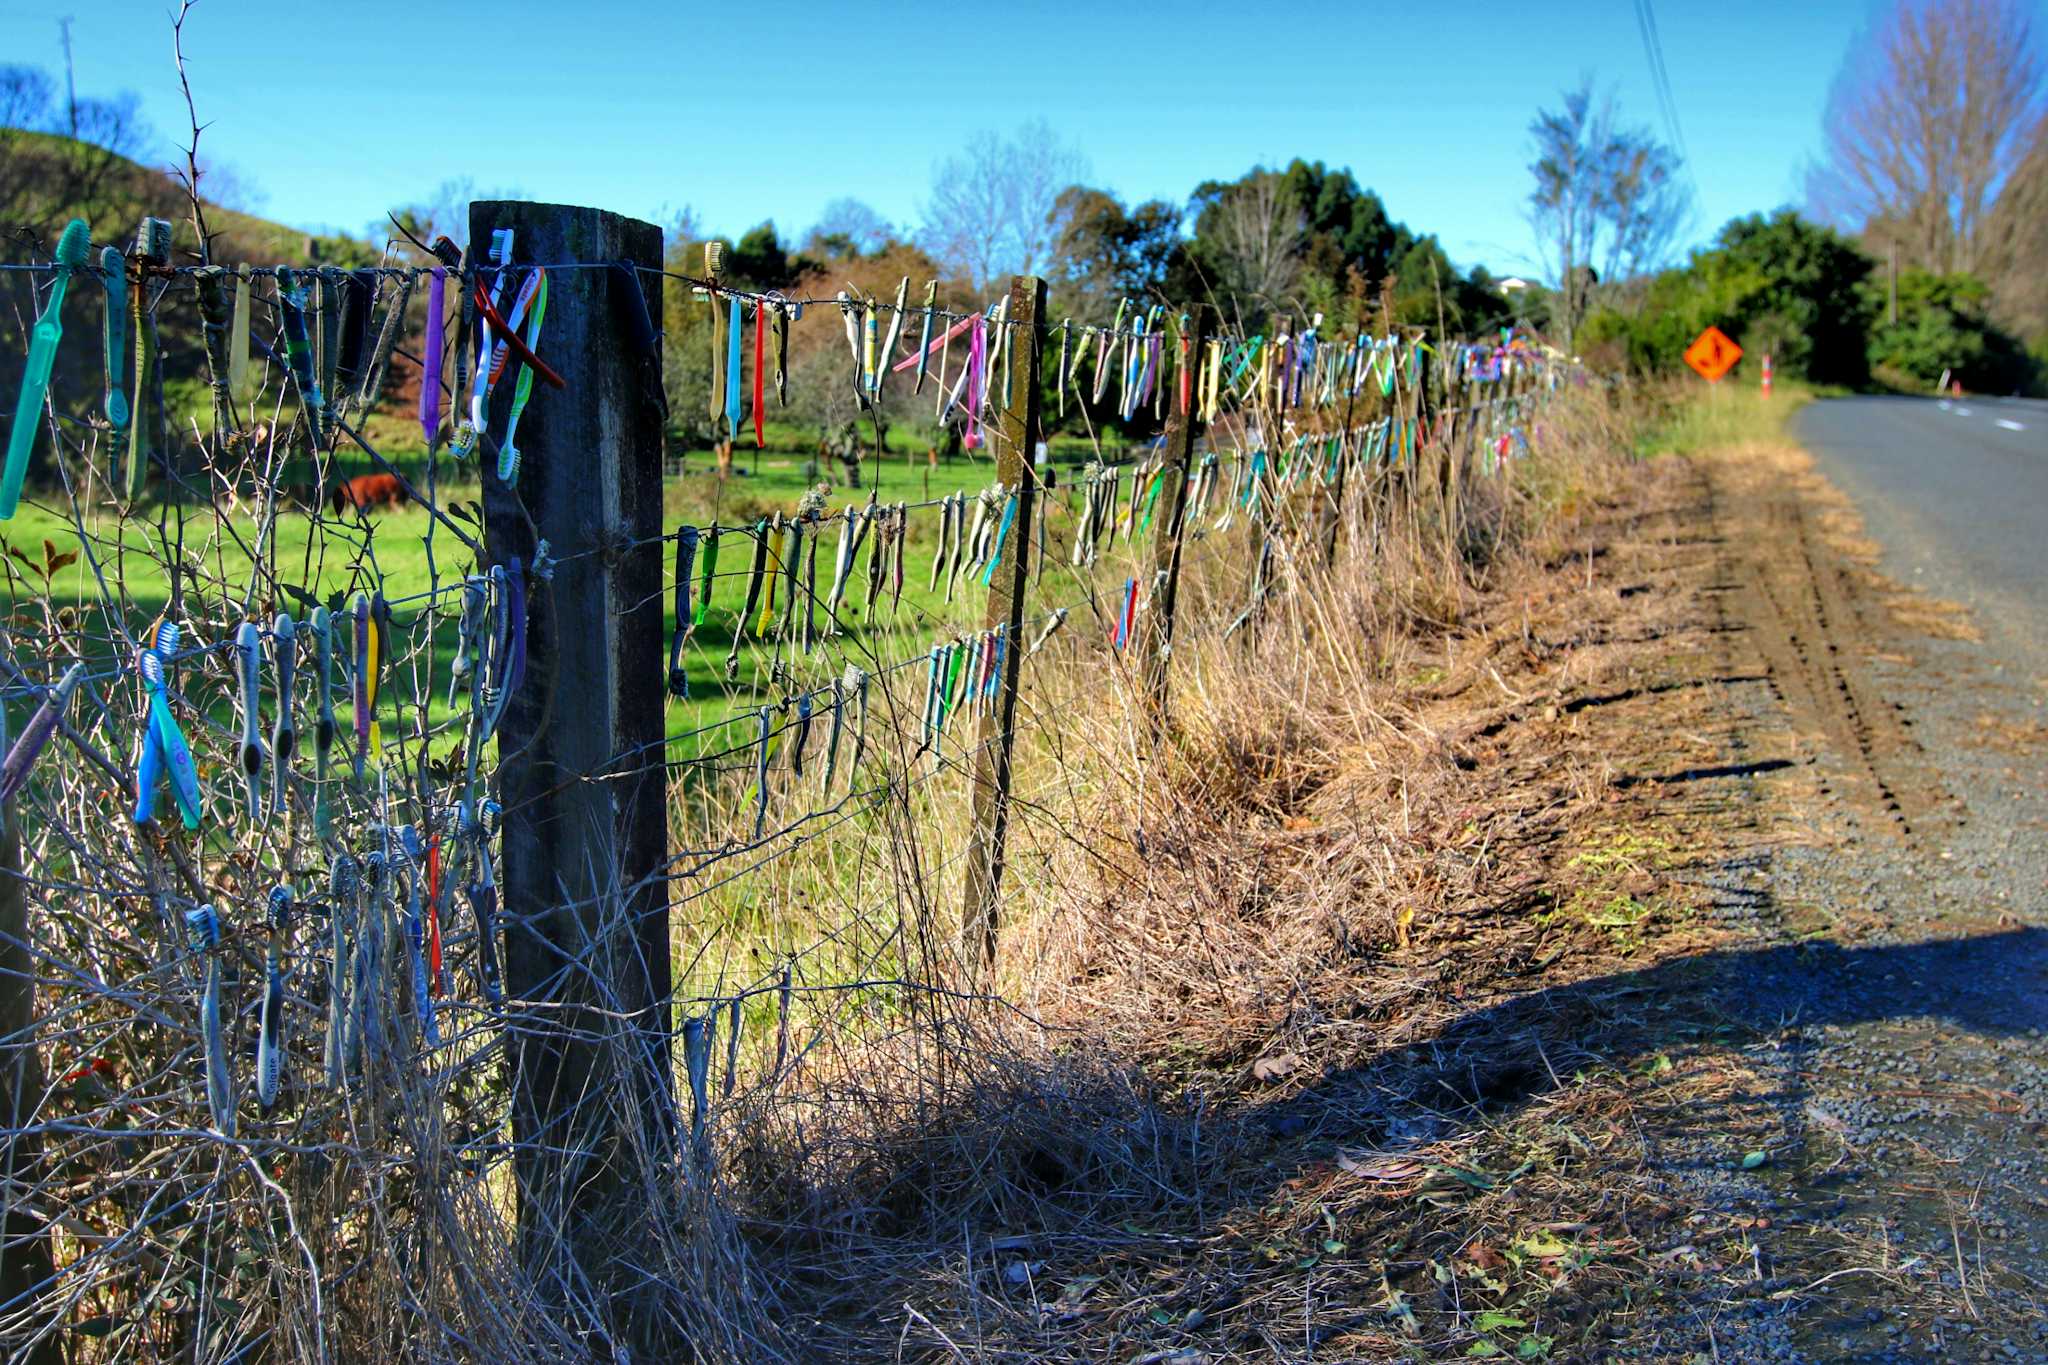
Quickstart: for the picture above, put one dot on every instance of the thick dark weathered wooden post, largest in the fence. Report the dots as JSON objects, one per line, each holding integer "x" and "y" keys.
{"x": 583, "y": 779}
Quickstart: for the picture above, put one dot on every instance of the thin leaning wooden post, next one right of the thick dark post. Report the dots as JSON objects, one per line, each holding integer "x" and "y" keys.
{"x": 1015, "y": 439}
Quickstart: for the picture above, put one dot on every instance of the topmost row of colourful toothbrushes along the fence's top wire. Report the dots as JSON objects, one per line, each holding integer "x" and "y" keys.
{"x": 337, "y": 333}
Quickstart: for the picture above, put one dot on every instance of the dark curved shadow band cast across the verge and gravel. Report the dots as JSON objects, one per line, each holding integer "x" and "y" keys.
{"x": 1502, "y": 1055}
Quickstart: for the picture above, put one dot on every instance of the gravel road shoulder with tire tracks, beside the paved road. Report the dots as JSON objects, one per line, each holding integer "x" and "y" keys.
{"x": 1902, "y": 1034}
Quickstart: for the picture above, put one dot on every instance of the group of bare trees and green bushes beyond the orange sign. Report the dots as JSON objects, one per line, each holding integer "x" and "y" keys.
{"x": 1922, "y": 253}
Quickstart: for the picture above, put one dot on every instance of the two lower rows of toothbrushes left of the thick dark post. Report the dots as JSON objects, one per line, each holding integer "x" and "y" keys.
{"x": 490, "y": 656}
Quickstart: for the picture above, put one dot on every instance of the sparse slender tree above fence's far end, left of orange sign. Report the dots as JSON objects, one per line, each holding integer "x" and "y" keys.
{"x": 1607, "y": 204}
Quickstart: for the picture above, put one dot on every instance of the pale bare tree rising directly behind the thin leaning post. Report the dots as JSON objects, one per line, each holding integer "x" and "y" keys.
{"x": 994, "y": 208}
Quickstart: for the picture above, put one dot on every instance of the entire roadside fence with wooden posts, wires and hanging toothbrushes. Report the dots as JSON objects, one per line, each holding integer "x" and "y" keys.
{"x": 255, "y": 1047}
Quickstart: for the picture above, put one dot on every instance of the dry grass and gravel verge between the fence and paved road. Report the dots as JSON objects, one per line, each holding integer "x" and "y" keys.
{"x": 1697, "y": 1012}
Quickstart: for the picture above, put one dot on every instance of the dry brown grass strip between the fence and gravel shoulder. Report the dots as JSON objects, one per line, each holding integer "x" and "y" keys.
{"x": 1281, "y": 1065}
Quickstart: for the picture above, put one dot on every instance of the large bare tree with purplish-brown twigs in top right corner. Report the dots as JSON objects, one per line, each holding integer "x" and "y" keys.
{"x": 1928, "y": 122}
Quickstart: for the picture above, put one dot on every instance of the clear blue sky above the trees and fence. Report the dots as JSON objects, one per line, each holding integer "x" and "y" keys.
{"x": 343, "y": 109}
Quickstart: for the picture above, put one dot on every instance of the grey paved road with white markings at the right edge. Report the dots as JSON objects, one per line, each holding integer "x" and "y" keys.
{"x": 1957, "y": 492}
